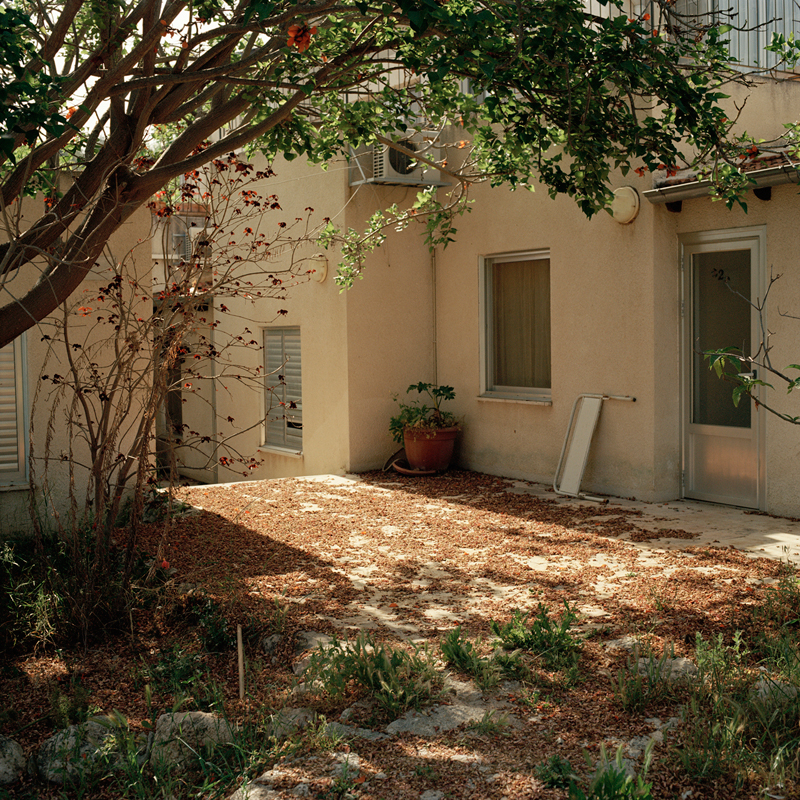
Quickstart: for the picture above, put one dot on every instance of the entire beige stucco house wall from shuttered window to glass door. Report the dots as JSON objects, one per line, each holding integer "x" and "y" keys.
{"x": 616, "y": 329}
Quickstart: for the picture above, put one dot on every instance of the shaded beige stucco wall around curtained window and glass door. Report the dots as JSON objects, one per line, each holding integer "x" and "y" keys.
{"x": 615, "y": 294}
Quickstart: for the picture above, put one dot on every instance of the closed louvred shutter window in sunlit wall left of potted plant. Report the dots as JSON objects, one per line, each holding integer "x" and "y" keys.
{"x": 284, "y": 413}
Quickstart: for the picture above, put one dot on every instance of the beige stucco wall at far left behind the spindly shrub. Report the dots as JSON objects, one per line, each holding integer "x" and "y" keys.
{"x": 131, "y": 243}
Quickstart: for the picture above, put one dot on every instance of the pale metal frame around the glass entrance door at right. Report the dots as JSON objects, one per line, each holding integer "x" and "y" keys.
{"x": 727, "y": 238}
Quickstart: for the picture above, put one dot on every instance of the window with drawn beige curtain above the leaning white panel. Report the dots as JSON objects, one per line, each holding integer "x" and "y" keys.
{"x": 517, "y": 326}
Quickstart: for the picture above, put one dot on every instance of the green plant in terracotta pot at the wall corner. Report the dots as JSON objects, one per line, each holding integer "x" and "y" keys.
{"x": 426, "y": 431}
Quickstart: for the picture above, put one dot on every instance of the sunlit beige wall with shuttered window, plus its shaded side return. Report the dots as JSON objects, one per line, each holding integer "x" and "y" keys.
{"x": 359, "y": 347}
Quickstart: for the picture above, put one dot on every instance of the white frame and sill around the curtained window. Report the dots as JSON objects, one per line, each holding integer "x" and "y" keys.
{"x": 541, "y": 395}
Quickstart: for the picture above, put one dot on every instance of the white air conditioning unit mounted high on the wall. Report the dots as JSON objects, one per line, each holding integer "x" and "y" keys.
{"x": 383, "y": 164}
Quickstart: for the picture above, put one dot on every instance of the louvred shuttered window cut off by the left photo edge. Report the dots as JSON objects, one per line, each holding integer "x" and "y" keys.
{"x": 12, "y": 426}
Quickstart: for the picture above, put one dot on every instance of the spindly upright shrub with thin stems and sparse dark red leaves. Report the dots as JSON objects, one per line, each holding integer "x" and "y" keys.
{"x": 118, "y": 349}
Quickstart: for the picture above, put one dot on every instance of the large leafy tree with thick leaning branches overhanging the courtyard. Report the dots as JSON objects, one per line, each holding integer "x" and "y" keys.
{"x": 107, "y": 102}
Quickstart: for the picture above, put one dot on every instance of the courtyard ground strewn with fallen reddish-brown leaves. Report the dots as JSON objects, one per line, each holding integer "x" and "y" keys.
{"x": 408, "y": 559}
